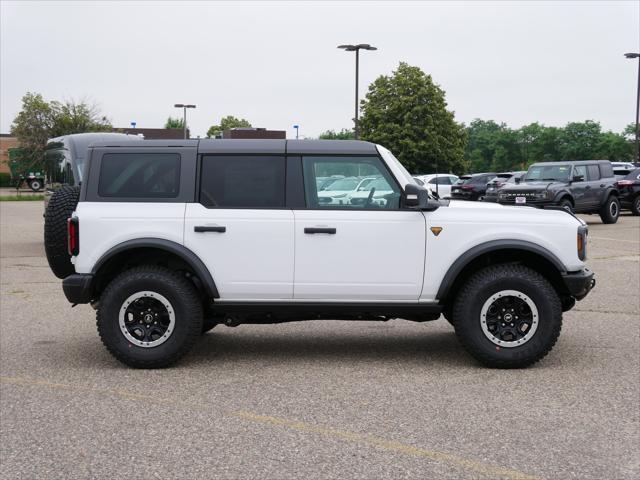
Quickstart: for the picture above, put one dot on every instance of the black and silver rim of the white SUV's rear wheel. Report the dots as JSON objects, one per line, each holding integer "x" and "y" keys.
{"x": 146, "y": 319}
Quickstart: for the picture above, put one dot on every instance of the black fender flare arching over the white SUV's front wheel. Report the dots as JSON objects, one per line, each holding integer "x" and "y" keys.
{"x": 494, "y": 245}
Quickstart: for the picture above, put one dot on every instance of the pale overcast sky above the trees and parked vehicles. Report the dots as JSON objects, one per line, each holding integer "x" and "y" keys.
{"x": 276, "y": 64}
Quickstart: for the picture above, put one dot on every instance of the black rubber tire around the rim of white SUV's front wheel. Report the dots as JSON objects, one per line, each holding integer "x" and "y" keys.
{"x": 479, "y": 288}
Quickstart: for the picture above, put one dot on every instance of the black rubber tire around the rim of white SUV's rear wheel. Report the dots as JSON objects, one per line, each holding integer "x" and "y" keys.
{"x": 184, "y": 299}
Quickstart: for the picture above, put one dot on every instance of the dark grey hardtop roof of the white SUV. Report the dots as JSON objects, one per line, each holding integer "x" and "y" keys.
{"x": 256, "y": 146}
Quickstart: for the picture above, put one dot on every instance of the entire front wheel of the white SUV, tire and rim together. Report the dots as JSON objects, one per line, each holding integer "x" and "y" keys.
{"x": 507, "y": 316}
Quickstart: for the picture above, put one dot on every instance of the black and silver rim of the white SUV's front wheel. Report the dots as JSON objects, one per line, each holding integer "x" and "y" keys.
{"x": 509, "y": 318}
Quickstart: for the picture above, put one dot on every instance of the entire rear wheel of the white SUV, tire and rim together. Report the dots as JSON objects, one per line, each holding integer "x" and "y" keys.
{"x": 149, "y": 317}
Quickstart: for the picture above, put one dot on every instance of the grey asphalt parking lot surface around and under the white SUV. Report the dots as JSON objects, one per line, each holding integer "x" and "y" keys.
{"x": 316, "y": 399}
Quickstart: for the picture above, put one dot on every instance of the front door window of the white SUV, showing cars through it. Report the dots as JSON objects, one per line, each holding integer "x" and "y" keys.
{"x": 365, "y": 183}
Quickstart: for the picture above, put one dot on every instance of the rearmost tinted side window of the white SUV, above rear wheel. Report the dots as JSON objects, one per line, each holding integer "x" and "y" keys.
{"x": 139, "y": 175}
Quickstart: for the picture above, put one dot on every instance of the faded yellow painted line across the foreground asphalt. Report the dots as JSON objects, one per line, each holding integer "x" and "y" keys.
{"x": 362, "y": 439}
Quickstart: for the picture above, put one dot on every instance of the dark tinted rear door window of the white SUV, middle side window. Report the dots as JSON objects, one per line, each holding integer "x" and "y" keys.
{"x": 242, "y": 182}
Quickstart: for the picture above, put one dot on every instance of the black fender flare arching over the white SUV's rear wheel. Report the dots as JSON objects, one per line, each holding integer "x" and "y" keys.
{"x": 181, "y": 251}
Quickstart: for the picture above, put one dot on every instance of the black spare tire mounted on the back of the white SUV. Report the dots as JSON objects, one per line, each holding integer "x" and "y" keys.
{"x": 60, "y": 207}
